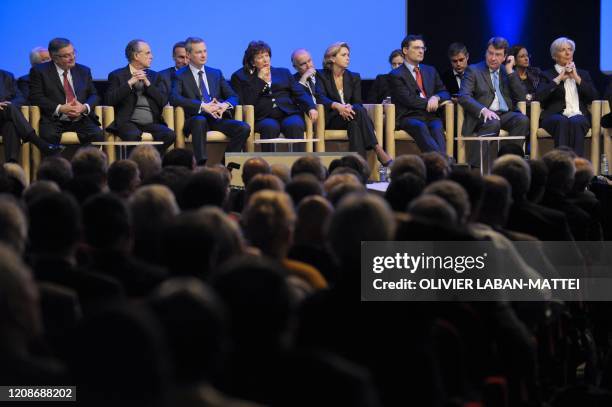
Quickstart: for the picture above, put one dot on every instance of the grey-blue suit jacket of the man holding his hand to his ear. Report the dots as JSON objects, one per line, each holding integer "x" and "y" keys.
{"x": 477, "y": 92}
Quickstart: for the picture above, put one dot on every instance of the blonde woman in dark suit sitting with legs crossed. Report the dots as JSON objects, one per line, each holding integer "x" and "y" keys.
{"x": 339, "y": 90}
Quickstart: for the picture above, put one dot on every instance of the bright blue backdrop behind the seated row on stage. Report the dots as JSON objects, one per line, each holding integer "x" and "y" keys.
{"x": 100, "y": 29}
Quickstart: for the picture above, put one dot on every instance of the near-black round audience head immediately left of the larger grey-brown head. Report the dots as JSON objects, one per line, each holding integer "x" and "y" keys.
{"x": 107, "y": 223}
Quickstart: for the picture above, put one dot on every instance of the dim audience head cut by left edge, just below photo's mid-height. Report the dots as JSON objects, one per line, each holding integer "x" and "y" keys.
{"x": 13, "y": 224}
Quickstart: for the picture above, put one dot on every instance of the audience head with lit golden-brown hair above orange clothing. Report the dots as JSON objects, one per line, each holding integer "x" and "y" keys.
{"x": 269, "y": 222}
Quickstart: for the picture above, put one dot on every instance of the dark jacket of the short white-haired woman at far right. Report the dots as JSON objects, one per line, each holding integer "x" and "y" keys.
{"x": 552, "y": 96}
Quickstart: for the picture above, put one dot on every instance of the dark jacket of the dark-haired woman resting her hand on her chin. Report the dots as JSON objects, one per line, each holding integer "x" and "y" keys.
{"x": 288, "y": 94}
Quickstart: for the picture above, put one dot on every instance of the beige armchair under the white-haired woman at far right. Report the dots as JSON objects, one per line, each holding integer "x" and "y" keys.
{"x": 594, "y": 134}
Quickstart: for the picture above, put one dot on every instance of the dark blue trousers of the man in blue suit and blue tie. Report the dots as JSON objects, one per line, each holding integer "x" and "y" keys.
{"x": 235, "y": 130}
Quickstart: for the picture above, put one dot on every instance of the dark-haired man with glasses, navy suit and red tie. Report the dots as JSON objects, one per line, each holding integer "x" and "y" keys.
{"x": 417, "y": 92}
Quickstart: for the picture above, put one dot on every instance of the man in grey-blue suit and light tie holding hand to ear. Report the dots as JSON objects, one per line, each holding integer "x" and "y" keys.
{"x": 489, "y": 93}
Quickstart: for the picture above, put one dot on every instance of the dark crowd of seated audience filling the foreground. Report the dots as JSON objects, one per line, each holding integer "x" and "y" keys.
{"x": 151, "y": 282}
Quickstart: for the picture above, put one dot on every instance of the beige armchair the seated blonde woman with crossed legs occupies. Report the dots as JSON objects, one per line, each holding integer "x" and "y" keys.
{"x": 375, "y": 112}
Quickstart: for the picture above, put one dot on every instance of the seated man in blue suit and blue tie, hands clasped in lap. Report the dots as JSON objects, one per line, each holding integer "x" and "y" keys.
{"x": 207, "y": 99}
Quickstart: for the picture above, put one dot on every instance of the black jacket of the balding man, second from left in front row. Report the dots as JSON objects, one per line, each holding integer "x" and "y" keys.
{"x": 123, "y": 98}
